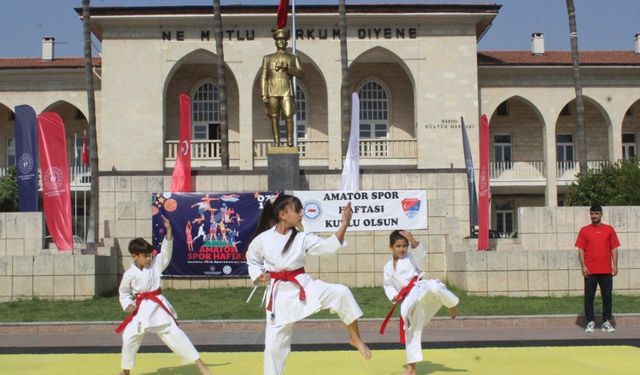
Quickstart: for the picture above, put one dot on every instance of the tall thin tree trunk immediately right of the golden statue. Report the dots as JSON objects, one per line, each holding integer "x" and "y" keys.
{"x": 345, "y": 101}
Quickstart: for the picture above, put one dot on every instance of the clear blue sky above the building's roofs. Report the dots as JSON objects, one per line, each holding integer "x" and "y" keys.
{"x": 602, "y": 24}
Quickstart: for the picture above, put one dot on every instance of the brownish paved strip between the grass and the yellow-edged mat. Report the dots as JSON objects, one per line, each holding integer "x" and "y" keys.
{"x": 211, "y": 336}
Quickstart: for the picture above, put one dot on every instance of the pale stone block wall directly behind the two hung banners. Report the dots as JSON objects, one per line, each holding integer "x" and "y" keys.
{"x": 125, "y": 206}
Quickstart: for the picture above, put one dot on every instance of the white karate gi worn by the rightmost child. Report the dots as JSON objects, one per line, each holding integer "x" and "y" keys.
{"x": 423, "y": 301}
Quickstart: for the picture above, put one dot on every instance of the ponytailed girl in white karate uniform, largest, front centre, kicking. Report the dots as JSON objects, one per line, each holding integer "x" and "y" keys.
{"x": 277, "y": 256}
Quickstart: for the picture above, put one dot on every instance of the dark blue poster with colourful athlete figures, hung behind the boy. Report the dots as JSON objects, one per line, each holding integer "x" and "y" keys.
{"x": 212, "y": 231}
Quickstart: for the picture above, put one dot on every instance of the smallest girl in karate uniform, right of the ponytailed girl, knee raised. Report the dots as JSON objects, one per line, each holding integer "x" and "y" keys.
{"x": 420, "y": 298}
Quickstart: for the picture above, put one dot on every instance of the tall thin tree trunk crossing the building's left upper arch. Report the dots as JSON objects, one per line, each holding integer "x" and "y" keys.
{"x": 222, "y": 86}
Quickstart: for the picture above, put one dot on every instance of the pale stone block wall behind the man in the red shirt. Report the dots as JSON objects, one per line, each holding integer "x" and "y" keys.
{"x": 543, "y": 260}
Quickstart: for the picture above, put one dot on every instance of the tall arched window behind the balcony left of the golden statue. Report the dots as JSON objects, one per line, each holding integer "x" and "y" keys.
{"x": 205, "y": 112}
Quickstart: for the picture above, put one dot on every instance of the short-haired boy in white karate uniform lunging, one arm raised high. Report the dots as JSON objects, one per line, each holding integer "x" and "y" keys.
{"x": 149, "y": 310}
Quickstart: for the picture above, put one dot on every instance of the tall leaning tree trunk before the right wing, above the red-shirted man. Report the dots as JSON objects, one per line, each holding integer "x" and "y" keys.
{"x": 577, "y": 83}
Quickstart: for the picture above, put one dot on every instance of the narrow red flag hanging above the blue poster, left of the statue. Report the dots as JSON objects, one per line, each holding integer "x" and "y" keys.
{"x": 181, "y": 178}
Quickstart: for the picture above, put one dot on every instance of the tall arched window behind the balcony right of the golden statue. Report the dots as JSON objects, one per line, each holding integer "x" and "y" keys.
{"x": 374, "y": 111}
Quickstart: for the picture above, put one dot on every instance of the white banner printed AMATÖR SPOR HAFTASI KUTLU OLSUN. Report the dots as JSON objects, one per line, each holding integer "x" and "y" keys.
{"x": 372, "y": 209}
